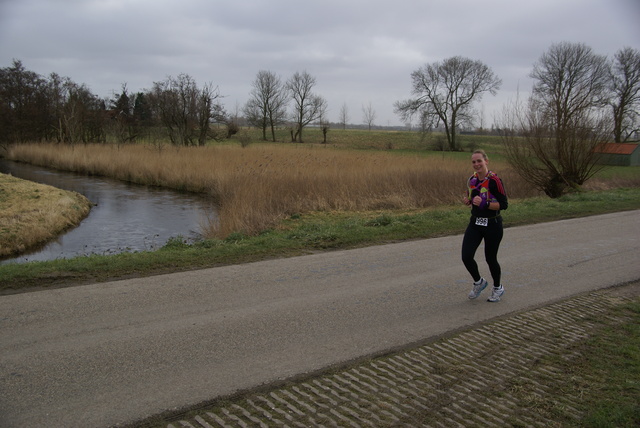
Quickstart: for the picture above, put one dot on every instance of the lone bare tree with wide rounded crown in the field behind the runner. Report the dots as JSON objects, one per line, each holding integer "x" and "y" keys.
{"x": 444, "y": 93}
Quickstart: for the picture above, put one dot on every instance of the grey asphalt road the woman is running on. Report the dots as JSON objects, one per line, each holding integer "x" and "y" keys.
{"x": 110, "y": 353}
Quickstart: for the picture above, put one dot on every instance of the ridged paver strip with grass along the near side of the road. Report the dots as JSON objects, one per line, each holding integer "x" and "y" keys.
{"x": 505, "y": 372}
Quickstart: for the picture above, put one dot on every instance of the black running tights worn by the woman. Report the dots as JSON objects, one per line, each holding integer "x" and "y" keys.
{"x": 473, "y": 236}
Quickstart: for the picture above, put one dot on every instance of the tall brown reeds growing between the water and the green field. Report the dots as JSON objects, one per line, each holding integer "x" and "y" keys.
{"x": 257, "y": 186}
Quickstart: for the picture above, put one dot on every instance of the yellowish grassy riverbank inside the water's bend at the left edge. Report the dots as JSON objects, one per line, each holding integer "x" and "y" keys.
{"x": 32, "y": 214}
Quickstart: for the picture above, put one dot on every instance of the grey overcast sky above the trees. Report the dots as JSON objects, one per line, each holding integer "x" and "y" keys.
{"x": 359, "y": 51}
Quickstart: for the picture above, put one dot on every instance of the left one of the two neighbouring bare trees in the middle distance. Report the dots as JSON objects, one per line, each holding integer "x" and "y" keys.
{"x": 267, "y": 105}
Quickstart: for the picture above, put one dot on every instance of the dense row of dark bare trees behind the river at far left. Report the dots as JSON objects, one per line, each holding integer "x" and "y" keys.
{"x": 35, "y": 108}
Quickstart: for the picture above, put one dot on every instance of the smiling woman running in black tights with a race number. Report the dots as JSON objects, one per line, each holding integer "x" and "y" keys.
{"x": 486, "y": 196}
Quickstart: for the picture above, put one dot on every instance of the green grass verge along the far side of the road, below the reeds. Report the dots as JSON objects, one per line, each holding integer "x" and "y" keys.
{"x": 304, "y": 234}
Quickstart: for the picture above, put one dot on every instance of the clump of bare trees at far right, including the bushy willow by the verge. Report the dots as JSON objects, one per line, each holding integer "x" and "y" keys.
{"x": 579, "y": 101}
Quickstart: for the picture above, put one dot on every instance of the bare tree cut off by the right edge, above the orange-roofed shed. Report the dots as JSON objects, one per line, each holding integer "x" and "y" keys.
{"x": 625, "y": 97}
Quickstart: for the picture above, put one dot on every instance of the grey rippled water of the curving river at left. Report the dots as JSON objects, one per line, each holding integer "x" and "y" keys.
{"x": 126, "y": 217}
